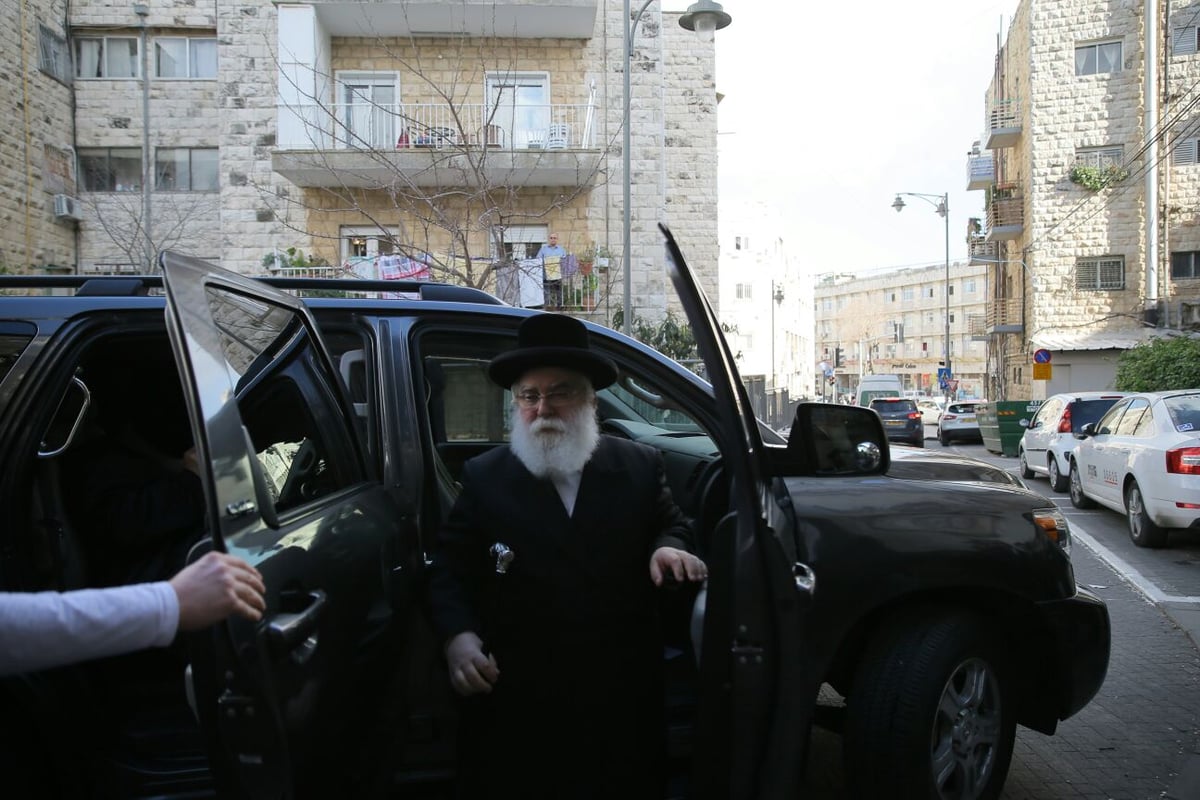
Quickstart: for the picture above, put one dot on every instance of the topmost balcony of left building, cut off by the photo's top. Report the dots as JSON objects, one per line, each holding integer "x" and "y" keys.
{"x": 461, "y": 19}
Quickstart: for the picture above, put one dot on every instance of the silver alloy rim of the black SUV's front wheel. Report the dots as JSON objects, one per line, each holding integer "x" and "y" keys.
{"x": 967, "y": 732}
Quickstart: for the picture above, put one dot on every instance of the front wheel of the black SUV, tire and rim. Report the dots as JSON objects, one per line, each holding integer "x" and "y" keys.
{"x": 931, "y": 714}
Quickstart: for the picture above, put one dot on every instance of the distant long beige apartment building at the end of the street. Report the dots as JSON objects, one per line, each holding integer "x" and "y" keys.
{"x": 893, "y": 322}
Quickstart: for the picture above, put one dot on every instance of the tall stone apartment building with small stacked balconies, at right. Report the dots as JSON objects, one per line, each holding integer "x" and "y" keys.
{"x": 1090, "y": 169}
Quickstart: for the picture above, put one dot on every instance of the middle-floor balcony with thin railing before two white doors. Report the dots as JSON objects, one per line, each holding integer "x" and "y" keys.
{"x": 427, "y": 146}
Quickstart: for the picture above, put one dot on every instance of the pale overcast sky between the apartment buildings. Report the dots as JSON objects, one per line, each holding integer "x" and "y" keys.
{"x": 831, "y": 109}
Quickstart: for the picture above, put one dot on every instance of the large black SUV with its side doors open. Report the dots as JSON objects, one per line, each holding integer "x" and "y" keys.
{"x": 331, "y": 432}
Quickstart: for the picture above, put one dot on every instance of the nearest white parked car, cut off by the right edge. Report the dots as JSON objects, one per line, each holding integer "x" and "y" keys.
{"x": 1143, "y": 460}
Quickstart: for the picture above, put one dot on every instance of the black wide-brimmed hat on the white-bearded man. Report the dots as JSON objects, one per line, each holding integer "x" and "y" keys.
{"x": 553, "y": 341}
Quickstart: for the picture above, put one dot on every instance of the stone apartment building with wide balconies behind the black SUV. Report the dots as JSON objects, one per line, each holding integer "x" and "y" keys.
{"x": 441, "y": 140}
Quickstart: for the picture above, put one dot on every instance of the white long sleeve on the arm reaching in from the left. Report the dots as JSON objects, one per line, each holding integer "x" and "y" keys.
{"x": 51, "y": 629}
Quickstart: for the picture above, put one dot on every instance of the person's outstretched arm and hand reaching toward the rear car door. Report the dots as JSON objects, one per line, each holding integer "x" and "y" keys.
{"x": 50, "y": 629}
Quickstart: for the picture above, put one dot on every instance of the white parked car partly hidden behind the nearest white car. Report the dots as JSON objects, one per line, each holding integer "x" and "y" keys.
{"x": 1051, "y": 438}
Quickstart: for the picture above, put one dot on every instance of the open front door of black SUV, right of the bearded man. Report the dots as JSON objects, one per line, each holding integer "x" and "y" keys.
{"x": 757, "y": 694}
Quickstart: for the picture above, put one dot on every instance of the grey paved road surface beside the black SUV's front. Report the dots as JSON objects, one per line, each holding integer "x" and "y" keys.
{"x": 1139, "y": 739}
